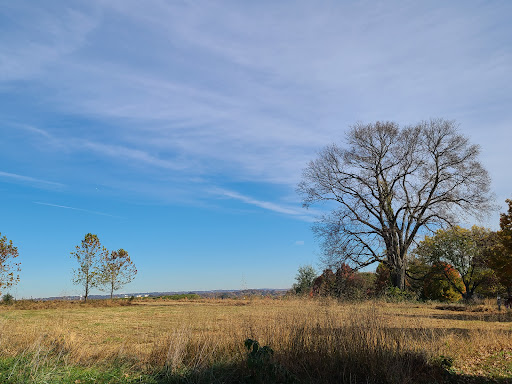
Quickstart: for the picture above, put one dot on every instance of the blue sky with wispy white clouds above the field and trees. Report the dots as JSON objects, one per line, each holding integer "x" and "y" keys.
{"x": 178, "y": 130}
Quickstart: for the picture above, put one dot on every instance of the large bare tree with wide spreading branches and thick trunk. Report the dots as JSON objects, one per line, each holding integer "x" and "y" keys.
{"x": 388, "y": 184}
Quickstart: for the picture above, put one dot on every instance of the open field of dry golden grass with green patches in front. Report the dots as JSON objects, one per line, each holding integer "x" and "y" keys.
{"x": 203, "y": 341}
